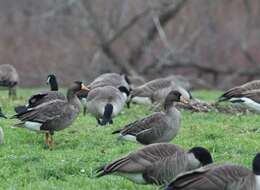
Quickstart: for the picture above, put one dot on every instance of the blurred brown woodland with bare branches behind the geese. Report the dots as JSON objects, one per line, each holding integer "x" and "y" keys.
{"x": 215, "y": 43}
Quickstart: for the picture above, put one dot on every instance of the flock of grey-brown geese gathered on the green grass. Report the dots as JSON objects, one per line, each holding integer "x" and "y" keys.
{"x": 158, "y": 162}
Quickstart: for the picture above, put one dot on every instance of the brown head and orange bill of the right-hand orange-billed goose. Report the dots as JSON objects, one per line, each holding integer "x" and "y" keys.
{"x": 174, "y": 96}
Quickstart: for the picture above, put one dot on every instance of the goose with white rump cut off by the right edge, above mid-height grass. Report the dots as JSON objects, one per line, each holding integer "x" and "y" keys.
{"x": 248, "y": 94}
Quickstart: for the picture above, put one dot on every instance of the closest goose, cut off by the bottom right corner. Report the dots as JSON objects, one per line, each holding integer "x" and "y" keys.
{"x": 220, "y": 177}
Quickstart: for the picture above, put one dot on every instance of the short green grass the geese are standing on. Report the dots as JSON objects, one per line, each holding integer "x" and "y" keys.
{"x": 25, "y": 164}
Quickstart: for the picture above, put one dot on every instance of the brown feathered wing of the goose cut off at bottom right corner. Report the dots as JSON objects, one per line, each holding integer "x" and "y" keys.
{"x": 213, "y": 177}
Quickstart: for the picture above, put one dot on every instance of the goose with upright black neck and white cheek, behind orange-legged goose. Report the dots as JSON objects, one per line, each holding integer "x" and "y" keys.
{"x": 42, "y": 97}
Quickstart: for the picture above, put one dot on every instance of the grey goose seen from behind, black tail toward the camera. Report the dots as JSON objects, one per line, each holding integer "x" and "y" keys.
{"x": 106, "y": 102}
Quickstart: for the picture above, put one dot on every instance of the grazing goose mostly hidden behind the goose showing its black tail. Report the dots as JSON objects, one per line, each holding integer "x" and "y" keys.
{"x": 107, "y": 79}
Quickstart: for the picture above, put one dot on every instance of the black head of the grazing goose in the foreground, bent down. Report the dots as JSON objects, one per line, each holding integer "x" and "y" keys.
{"x": 202, "y": 155}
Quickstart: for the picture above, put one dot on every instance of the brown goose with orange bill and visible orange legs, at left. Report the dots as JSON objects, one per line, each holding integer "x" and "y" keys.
{"x": 53, "y": 115}
